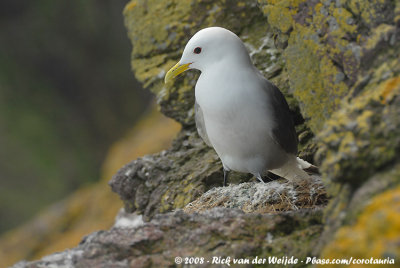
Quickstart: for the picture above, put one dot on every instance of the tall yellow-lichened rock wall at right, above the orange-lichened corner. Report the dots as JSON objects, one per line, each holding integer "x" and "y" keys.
{"x": 348, "y": 91}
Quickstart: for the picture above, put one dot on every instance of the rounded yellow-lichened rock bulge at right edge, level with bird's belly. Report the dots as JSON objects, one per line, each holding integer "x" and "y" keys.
{"x": 363, "y": 135}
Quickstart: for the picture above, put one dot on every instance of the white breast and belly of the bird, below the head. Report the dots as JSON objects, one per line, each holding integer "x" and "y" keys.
{"x": 237, "y": 120}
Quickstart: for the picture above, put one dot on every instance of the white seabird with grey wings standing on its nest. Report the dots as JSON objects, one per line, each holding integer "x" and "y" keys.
{"x": 239, "y": 113}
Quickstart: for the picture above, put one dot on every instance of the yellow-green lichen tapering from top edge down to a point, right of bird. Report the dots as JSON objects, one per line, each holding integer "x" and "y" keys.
{"x": 317, "y": 34}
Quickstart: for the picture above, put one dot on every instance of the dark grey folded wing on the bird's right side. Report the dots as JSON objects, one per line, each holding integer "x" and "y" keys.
{"x": 284, "y": 132}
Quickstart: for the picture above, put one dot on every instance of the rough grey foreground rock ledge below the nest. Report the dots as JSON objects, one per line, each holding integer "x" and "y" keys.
{"x": 216, "y": 232}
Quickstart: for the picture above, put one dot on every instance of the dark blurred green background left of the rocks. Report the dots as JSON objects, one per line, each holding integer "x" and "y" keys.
{"x": 66, "y": 93}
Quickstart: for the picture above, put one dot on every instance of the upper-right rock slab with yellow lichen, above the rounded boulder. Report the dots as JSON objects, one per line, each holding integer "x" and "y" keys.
{"x": 332, "y": 44}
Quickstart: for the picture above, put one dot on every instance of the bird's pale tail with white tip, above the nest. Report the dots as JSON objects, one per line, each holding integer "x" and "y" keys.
{"x": 296, "y": 169}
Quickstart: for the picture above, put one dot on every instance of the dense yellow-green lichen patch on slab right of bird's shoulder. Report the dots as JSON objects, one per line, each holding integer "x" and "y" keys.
{"x": 312, "y": 76}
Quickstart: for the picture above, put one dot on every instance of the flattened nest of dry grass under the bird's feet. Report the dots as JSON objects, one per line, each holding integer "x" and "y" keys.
{"x": 275, "y": 196}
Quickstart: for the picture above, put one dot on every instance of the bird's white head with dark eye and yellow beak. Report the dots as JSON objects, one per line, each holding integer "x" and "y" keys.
{"x": 208, "y": 47}
